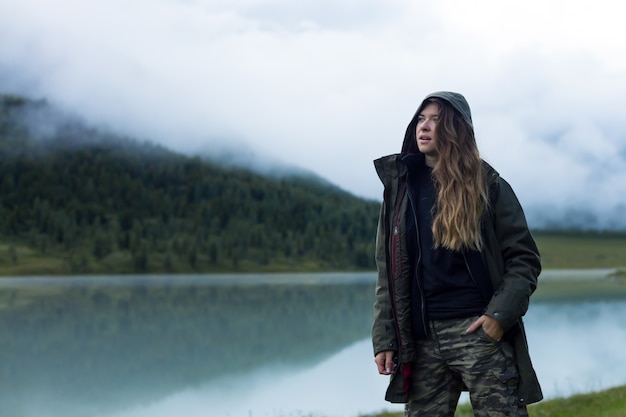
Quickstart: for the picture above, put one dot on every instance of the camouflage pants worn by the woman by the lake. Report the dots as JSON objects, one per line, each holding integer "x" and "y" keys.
{"x": 451, "y": 359}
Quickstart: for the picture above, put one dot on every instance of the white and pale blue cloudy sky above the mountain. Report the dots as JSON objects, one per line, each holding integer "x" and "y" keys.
{"x": 330, "y": 85}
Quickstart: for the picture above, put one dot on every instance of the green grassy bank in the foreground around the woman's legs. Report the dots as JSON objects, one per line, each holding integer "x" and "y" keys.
{"x": 607, "y": 403}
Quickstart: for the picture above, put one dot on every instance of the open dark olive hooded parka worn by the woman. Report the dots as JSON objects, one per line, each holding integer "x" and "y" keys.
{"x": 510, "y": 257}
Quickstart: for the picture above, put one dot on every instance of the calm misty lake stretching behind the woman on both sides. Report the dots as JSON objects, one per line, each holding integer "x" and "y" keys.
{"x": 270, "y": 345}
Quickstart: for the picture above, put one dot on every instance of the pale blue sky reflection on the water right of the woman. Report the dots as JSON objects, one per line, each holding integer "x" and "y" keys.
{"x": 578, "y": 347}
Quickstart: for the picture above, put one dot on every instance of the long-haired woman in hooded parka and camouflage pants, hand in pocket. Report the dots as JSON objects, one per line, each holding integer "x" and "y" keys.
{"x": 456, "y": 268}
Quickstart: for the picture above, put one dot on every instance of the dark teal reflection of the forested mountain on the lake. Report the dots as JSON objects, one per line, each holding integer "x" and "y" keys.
{"x": 80, "y": 346}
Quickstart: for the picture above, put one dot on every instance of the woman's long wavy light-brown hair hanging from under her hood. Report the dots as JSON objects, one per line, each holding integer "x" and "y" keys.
{"x": 461, "y": 191}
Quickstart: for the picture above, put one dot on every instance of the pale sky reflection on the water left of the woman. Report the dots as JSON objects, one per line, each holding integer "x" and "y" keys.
{"x": 344, "y": 385}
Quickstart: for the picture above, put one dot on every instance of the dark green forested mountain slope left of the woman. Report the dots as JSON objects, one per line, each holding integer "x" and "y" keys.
{"x": 95, "y": 202}
